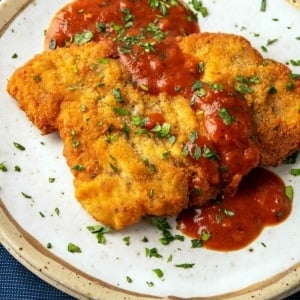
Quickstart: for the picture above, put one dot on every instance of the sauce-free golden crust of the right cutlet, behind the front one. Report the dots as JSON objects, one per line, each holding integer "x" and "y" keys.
{"x": 275, "y": 115}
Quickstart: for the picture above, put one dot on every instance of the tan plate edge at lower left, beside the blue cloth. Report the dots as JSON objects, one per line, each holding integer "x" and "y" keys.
{"x": 39, "y": 260}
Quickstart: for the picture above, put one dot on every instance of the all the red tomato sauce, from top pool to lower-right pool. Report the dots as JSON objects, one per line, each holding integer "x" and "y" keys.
{"x": 143, "y": 36}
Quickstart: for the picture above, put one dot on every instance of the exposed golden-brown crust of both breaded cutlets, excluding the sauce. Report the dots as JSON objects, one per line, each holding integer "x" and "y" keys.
{"x": 120, "y": 173}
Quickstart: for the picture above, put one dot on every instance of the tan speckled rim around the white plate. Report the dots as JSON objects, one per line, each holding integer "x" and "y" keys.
{"x": 37, "y": 259}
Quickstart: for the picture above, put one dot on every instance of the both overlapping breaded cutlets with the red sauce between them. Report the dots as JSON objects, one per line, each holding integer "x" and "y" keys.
{"x": 134, "y": 154}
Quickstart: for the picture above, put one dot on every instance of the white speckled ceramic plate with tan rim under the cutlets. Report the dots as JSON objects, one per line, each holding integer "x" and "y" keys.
{"x": 268, "y": 268}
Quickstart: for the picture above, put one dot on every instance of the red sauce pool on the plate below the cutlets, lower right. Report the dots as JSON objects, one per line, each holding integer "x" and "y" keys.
{"x": 234, "y": 222}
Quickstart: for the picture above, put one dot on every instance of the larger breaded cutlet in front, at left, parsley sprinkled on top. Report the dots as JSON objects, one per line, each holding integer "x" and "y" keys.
{"x": 122, "y": 170}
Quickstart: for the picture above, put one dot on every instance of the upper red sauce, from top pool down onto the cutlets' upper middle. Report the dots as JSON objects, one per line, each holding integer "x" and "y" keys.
{"x": 143, "y": 37}
